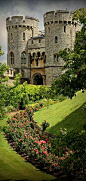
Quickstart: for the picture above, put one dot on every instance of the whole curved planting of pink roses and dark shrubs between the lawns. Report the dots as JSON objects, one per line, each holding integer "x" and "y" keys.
{"x": 66, "y": 152}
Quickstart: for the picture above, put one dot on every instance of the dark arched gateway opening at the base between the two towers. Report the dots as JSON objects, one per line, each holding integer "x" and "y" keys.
{"x": 37, "y": 79}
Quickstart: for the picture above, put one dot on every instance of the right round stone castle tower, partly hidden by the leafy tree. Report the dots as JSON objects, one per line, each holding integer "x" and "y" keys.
{"x": 60, "y": 32}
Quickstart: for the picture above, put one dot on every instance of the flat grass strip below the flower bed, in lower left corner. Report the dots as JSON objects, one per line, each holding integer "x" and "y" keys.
{"x": 13, "y": 166}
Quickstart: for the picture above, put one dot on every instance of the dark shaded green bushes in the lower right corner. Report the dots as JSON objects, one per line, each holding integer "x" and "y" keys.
{"x": 76, "y": 143}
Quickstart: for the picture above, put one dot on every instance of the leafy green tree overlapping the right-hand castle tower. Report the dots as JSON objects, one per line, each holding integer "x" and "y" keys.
{"x": 74, "y": 79}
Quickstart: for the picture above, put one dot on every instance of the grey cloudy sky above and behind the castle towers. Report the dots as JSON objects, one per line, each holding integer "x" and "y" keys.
{"x": 33, "y": 8}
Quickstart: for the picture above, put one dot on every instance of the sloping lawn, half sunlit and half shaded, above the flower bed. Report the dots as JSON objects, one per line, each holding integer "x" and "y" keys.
{"x": 67, "y": 114}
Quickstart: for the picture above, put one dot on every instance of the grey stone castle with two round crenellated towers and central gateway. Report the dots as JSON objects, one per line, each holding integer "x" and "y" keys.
{"x": 34, "y": 53}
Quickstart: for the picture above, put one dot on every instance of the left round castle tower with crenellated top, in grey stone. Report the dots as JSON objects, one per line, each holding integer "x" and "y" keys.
{"x": 19, "y": 30}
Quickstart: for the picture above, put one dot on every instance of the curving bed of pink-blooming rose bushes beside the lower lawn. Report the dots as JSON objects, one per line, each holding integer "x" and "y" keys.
{"x": 27, "y": 141}
